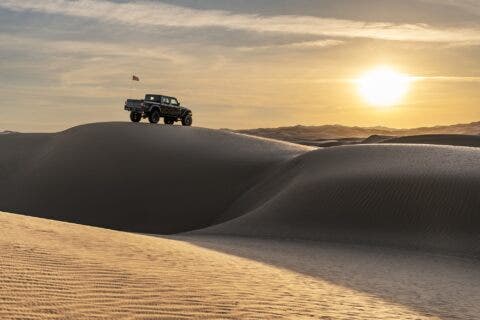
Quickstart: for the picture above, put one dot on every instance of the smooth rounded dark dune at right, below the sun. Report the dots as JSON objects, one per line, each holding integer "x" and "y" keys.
{"x": 414, "y": 196}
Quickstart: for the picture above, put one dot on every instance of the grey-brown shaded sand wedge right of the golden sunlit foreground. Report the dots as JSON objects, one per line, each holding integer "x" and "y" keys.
{"x": 434, "y": 285}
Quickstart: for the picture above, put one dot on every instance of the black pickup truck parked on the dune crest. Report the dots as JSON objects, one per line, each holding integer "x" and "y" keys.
{"x": 155, "y": 106}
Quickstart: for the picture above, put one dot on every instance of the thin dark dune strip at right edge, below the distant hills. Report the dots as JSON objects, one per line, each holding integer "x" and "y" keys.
{"x": 439, "y": 139}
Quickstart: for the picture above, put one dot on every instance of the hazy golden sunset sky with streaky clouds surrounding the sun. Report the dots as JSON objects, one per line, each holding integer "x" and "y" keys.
{"x": 237, "y": 63}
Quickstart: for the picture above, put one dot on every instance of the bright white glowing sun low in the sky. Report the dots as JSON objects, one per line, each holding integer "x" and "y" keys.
{"x": 383, "y": 86}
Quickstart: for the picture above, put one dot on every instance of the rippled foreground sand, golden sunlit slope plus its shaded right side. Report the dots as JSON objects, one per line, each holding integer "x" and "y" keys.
{"x": 54, "y": 270}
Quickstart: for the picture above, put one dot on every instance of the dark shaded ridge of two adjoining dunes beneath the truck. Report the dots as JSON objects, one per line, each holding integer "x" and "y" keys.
{"x": 161, "y": 179}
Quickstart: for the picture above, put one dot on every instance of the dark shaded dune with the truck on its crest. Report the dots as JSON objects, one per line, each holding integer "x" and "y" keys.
{"x": 135, "y": 177}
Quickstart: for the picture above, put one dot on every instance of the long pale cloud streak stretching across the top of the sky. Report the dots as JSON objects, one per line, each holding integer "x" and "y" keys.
{"x": 165, "y": 15}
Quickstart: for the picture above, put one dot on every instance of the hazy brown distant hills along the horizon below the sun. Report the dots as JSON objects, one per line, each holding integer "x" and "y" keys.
{"x": 332, "y": 135}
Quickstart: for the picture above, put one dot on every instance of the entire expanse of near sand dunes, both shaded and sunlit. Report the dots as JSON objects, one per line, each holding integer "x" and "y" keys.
{"x": 263, "y": 229}
